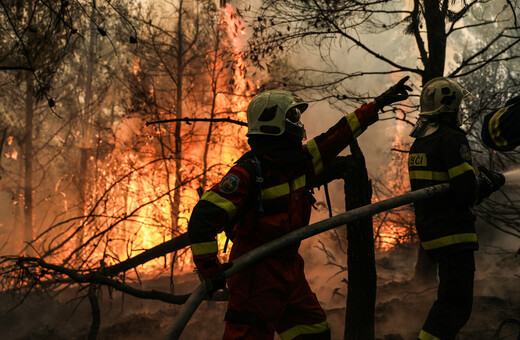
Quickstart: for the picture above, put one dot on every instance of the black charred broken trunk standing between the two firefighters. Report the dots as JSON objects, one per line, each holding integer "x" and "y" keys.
{"x": 359, "y": 318}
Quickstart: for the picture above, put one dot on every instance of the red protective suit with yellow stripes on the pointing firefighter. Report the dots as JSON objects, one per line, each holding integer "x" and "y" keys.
{"x": 274, "y": 295}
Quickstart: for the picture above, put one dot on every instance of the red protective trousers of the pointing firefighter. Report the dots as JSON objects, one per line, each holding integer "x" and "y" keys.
{"x": 273, "y": 296}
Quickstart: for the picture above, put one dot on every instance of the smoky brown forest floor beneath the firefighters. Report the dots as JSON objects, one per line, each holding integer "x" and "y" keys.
{"x": 400, "y": 311}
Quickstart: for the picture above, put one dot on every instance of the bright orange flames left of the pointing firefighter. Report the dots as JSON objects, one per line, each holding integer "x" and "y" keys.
{"x": 135, "y": 190}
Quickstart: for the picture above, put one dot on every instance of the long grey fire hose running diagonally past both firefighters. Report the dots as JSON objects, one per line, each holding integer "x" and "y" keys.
{"x": 260, "y": 253}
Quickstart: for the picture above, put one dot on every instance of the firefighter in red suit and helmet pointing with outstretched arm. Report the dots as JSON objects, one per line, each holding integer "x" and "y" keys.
{"x": 264, "y": 196}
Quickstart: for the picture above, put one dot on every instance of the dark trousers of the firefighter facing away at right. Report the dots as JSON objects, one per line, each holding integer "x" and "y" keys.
{"x": 452, "y": 309}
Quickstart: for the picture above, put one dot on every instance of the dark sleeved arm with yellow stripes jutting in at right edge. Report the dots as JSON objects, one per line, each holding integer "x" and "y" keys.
{"x": 501, "y": 129}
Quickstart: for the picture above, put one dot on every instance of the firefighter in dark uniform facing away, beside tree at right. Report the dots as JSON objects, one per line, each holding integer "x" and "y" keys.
{"x": 446, "y": 225}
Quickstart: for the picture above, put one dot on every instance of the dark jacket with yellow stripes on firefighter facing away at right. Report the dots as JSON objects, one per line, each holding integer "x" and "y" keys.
{"x": 444, "y": 223}
